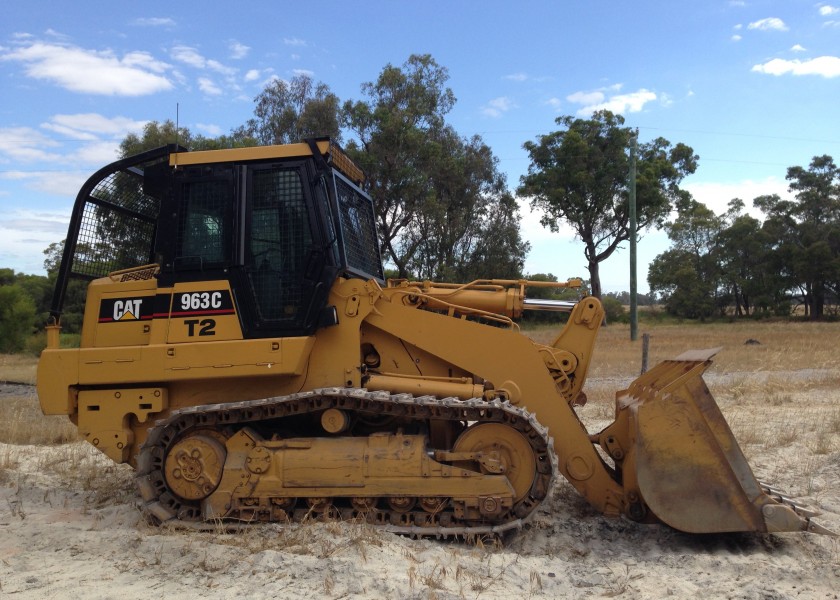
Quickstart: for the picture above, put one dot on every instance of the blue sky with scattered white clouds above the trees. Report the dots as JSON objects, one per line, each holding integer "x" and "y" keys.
{"x": 753, "y": 86}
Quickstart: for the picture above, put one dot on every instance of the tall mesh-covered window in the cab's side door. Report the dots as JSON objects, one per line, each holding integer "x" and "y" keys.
{"x": 279, "y": 245}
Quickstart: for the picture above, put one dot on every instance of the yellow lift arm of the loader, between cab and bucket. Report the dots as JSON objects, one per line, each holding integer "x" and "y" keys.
{"x": 516, "y": 366}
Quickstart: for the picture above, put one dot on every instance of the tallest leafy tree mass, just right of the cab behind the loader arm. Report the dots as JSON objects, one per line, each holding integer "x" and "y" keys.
{"x": 442, "y": 208}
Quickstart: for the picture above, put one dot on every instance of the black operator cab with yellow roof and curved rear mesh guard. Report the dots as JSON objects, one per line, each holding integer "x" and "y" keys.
{"x": 279, "y": 223}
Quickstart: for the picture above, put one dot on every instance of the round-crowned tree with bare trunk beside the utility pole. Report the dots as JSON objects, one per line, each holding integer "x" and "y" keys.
{"x": 579, "y": 175}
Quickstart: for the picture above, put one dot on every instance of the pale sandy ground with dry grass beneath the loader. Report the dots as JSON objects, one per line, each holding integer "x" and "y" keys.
{"x": 69, "y": 527}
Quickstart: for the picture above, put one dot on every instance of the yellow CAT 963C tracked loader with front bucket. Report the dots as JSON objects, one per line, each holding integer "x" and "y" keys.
{"x": 241, "y": 349}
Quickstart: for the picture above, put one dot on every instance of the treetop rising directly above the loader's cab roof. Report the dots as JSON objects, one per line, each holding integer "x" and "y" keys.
{"x": 288, "y": 112}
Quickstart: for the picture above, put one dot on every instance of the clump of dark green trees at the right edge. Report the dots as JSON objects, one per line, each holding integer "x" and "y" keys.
{"x": 733, "y": 259}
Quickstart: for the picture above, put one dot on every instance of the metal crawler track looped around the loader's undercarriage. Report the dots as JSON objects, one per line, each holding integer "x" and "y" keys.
{"x": 166, "y": 508}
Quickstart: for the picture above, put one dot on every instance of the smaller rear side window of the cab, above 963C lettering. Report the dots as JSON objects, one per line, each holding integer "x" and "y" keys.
{"x": 204, "y": 231}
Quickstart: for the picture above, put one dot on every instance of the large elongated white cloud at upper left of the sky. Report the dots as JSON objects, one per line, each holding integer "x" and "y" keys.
{"x": 90, "y": 71}
